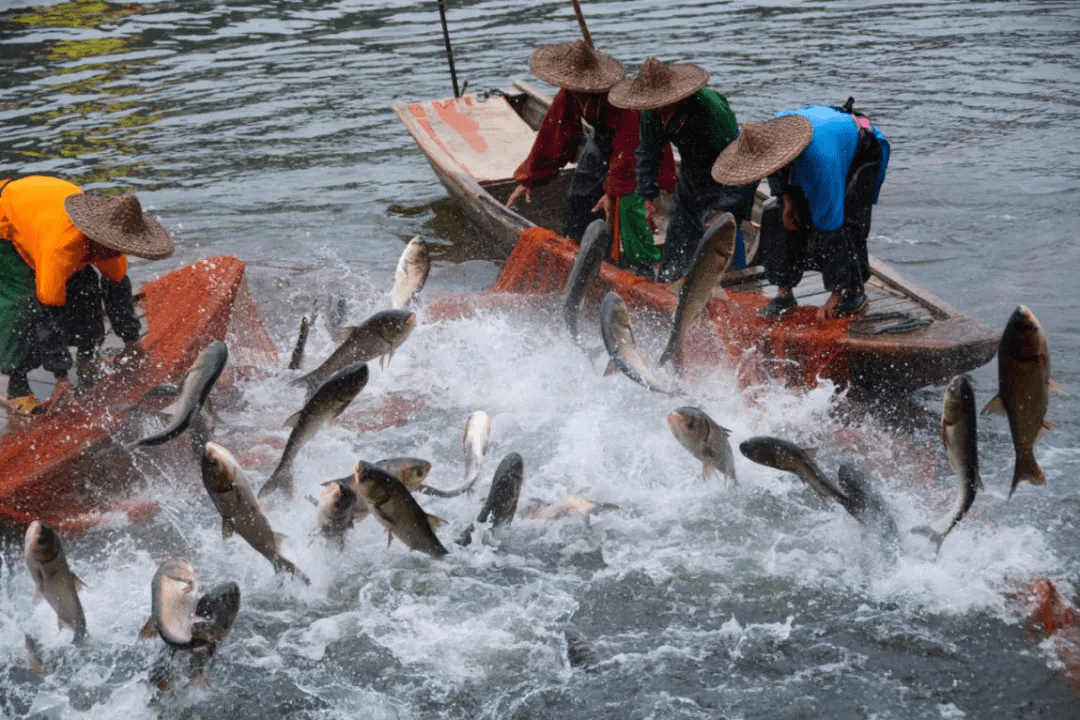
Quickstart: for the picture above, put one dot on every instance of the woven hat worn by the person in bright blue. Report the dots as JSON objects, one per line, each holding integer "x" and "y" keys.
{"x": 762, "y": 150}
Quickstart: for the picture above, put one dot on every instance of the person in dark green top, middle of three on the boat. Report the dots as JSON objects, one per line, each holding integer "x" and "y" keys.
{"x": 678, "y": 108}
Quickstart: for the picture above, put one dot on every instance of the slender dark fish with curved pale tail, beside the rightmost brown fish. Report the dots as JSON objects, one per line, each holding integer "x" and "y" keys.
{"x": 960, "y": 439}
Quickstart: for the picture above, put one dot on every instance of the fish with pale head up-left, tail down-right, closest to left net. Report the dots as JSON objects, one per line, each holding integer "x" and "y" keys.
{"x": 232, "y": 494}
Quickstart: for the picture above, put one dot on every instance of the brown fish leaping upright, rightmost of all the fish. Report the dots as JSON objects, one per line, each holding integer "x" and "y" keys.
{"x": 1024, "y": 388}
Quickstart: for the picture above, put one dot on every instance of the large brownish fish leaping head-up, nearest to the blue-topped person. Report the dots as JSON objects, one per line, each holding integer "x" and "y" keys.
{"x": 711, "y": 261}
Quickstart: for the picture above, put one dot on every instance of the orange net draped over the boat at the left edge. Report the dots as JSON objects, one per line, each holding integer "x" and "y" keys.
{"x": 67, "y": 469}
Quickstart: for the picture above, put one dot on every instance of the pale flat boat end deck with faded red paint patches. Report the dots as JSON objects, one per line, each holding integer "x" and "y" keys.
{"x": 484, "y": 137}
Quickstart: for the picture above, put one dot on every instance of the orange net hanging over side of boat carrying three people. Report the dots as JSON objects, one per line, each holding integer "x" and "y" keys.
{"x": 798, "y": 350}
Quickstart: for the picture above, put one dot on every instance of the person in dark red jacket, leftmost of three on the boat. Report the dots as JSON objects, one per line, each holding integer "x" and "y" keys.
{"x": 604, "y": 179}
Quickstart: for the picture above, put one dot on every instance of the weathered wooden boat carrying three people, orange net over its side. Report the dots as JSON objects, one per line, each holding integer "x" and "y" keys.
{"x": 909, "y": 338}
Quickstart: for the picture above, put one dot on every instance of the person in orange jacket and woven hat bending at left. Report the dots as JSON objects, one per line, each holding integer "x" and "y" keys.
{"x": 62, "y": 260}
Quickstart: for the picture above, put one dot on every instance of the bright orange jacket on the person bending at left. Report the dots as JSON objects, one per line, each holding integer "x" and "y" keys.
{"x": 33, "y": 219}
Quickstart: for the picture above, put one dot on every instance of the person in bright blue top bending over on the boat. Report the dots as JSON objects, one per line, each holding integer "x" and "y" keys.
{"x": 822, "y": 219}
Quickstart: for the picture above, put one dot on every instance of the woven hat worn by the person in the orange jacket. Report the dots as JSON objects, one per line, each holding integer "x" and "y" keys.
{"x": 119, "y": 224}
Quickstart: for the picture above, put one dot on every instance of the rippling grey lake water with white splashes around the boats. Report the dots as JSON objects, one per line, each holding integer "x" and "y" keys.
{"x": 264, "y": 130}
